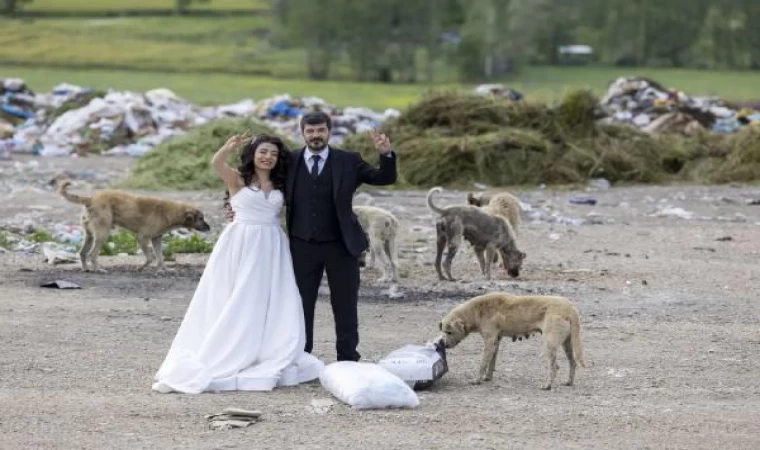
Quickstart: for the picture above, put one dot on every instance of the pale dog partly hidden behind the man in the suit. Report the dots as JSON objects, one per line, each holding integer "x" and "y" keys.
{"x": 382, "y": 228}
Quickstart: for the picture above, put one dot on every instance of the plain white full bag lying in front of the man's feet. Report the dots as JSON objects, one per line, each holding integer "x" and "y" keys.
{"x": 367, "y": 386}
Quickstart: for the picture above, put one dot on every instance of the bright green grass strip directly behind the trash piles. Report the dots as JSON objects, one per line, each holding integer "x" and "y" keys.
{"x": 538, "y": 83}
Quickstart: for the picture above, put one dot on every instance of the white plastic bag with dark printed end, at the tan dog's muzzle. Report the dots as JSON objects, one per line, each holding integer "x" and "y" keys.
{"x": 418, "y": 365}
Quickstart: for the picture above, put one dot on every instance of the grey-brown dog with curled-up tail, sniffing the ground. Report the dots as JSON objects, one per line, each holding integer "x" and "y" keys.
{"x": 488, "y": 234}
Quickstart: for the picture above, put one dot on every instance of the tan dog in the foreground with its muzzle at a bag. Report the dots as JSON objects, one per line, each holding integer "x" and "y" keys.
{"x": 499, "y": 314}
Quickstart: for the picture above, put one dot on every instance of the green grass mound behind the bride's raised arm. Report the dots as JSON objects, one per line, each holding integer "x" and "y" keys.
{"x": 185, "y": 161}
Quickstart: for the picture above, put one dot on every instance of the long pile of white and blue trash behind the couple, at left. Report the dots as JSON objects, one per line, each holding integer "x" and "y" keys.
{"x": 76, "y": 120}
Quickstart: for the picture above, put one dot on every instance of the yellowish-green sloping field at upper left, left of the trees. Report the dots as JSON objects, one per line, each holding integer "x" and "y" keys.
{"x": 187, "y": 44}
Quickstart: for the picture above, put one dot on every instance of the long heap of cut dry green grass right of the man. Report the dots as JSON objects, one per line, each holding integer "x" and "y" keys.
{"x": 455, "y": 139}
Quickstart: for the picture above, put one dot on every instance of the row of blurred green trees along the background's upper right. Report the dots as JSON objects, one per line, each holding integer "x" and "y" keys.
{"x": 401, "y": 40}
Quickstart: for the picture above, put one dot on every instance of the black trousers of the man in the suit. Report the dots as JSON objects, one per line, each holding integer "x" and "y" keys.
{"x": 310, "y": 261}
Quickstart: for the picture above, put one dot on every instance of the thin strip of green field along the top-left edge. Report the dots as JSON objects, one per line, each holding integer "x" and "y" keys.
{"x": 127, "y": 5}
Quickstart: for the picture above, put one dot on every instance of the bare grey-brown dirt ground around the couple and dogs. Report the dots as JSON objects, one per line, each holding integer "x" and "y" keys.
{"x": 670, "y": 327}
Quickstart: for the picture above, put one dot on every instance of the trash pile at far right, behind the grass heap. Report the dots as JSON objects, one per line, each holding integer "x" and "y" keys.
{"x": 655, "y": 109}
